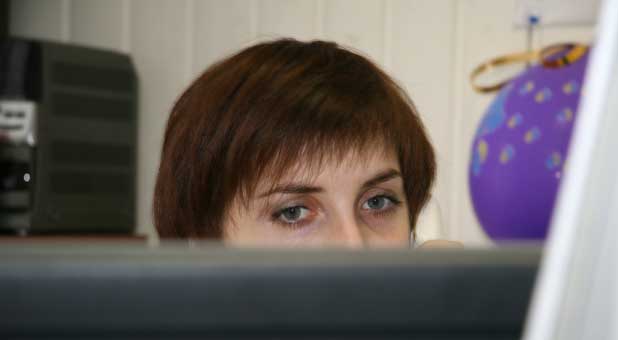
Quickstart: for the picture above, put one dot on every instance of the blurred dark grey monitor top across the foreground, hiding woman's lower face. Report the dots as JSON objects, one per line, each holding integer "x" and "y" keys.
{"x": 212, "y": 292}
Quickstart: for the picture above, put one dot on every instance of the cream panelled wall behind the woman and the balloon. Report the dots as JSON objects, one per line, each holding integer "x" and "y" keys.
{"x": 429, "y": 46}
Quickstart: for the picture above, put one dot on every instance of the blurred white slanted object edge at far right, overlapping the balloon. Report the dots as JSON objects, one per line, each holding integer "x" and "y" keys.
{"x": 575, "y": 295}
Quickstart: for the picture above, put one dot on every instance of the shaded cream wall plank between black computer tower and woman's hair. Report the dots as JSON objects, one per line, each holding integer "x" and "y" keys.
{"x": 159, "y": 47}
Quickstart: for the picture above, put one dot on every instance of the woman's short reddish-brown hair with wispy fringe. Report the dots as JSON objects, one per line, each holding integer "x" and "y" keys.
{"x": 261, "y": 110}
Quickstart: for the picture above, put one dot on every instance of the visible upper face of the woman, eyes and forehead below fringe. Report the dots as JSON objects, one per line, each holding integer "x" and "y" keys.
{"x": 355, "y": 202}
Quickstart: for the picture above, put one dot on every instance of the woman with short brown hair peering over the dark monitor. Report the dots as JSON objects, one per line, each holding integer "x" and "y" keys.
{"x": 294, "y": 143}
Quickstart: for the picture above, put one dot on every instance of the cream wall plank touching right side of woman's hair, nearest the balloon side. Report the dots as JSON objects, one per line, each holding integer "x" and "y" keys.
{"x": 423, "y": 65}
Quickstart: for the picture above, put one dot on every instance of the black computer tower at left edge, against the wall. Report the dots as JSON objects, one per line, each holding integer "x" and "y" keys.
{"x": 68, "y": 118}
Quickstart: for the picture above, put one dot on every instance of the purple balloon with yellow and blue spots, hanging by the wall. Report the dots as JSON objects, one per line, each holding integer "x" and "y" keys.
{"x": 519, "y": 151}
